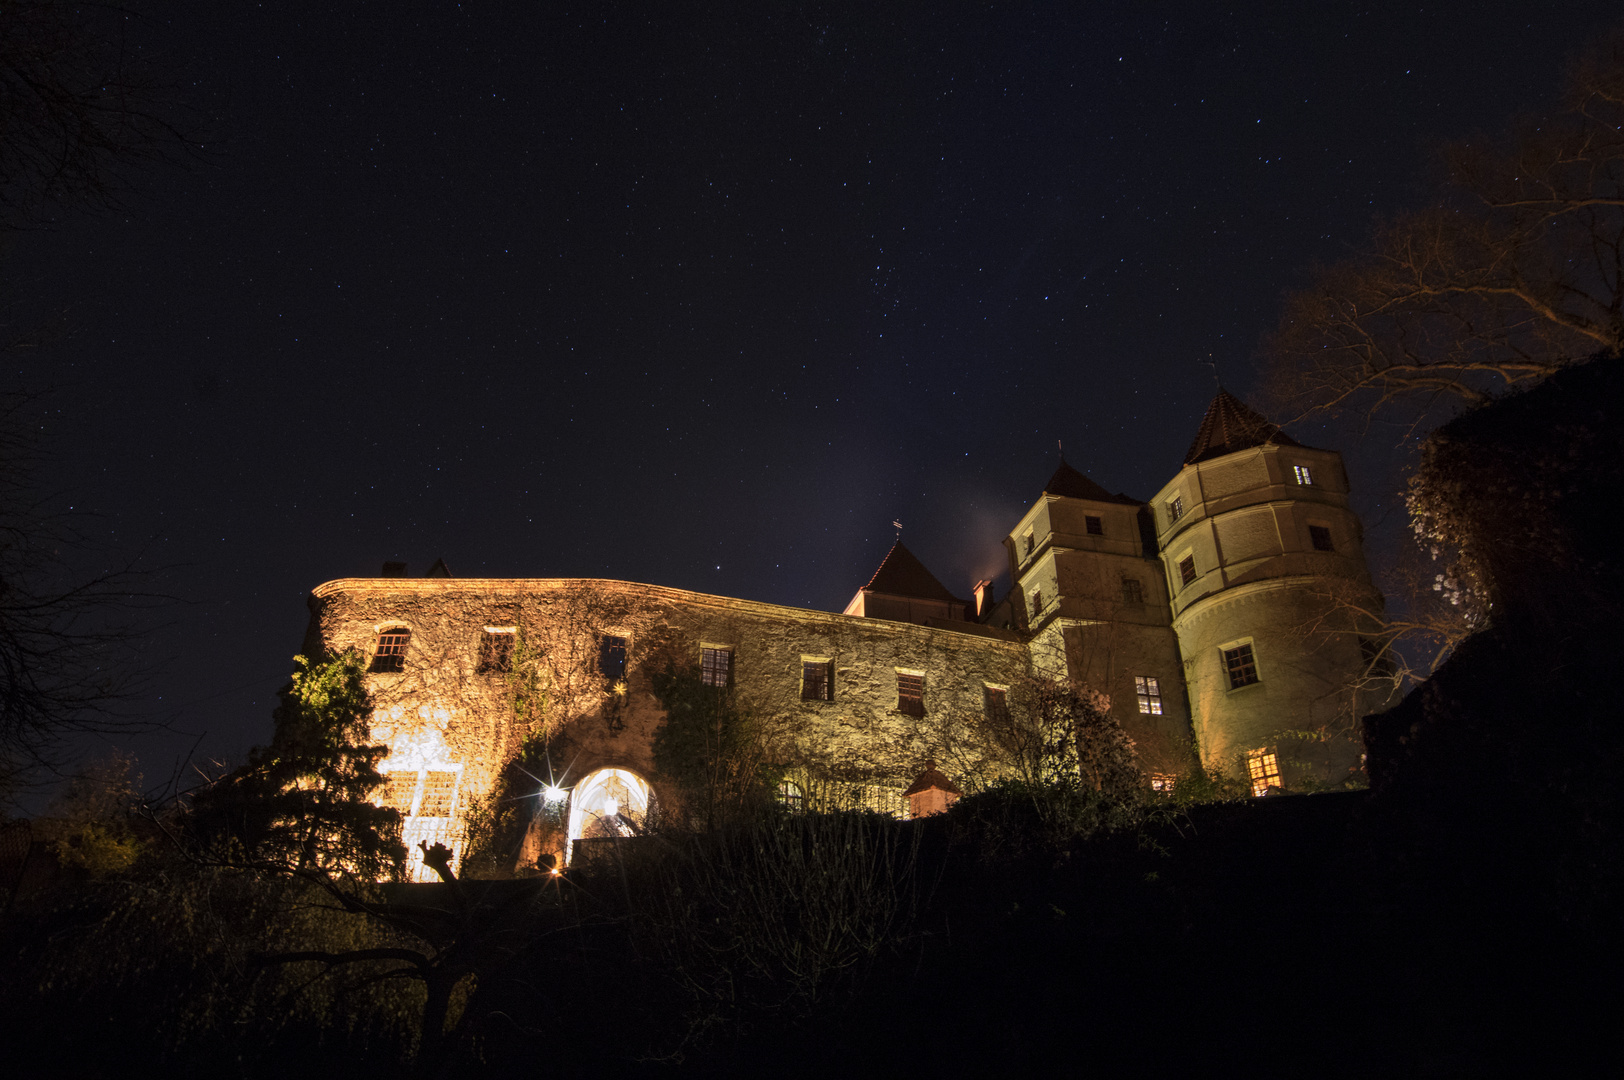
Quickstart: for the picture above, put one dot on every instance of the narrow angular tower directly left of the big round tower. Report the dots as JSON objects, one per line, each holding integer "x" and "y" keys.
{"x": 1094, "y": 600}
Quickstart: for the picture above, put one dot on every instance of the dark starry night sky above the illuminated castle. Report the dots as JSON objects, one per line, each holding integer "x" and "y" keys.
{"x": 699, "y": 301}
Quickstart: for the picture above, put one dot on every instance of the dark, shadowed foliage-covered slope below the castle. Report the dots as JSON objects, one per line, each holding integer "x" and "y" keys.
{"x": 1295, "y": 935}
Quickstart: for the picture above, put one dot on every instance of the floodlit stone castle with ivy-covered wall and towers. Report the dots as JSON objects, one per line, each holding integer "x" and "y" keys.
{"x": 1219, "y": 616}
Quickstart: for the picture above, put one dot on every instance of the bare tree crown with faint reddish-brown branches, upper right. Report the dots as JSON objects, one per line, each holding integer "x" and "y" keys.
{"x": 1513, "y": 274}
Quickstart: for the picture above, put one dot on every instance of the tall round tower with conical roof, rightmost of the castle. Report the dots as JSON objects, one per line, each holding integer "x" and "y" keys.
{"x": 1259, "y": 546}
